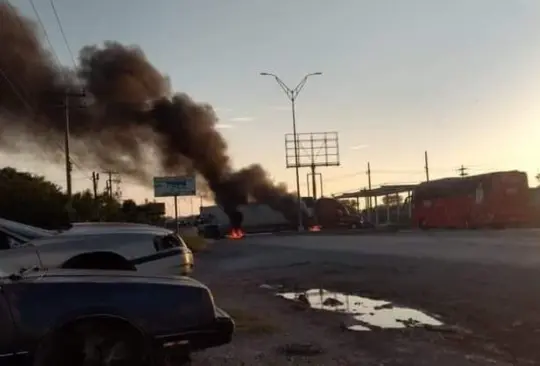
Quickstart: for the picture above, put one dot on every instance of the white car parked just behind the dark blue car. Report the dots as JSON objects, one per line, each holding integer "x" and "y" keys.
{"x": 118, "y": 246}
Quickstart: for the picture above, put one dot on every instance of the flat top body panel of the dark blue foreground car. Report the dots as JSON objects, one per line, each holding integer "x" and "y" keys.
{"x": 101, "y": 276}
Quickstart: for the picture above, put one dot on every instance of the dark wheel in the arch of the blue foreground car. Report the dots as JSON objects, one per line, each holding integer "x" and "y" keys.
{"x": 96, "y": 343}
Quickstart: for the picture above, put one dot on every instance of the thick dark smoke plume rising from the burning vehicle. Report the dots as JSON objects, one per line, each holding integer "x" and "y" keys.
{"x": 128, "y": 114}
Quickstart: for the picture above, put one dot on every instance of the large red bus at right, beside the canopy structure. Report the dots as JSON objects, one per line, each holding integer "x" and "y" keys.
{"x": 499, "y": 199}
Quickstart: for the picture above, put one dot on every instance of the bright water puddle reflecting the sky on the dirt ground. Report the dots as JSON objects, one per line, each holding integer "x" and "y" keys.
{"x": 367, "y": 314}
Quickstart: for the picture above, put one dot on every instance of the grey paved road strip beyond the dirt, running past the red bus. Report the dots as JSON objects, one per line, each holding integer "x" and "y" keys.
{"x": 509, "y": 247}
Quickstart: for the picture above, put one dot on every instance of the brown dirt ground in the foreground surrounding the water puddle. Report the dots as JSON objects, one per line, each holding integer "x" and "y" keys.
{"x": 491, "y": 314}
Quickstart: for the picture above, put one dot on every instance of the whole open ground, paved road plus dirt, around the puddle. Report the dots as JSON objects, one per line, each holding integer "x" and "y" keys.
{"x": 487, "y": 298}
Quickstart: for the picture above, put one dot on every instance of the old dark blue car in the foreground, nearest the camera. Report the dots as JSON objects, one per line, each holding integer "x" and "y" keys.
{"x": 91, "y": 317}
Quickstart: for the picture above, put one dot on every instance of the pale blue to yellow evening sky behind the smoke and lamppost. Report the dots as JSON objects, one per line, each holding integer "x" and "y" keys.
{"x": 459, "y": 79}
